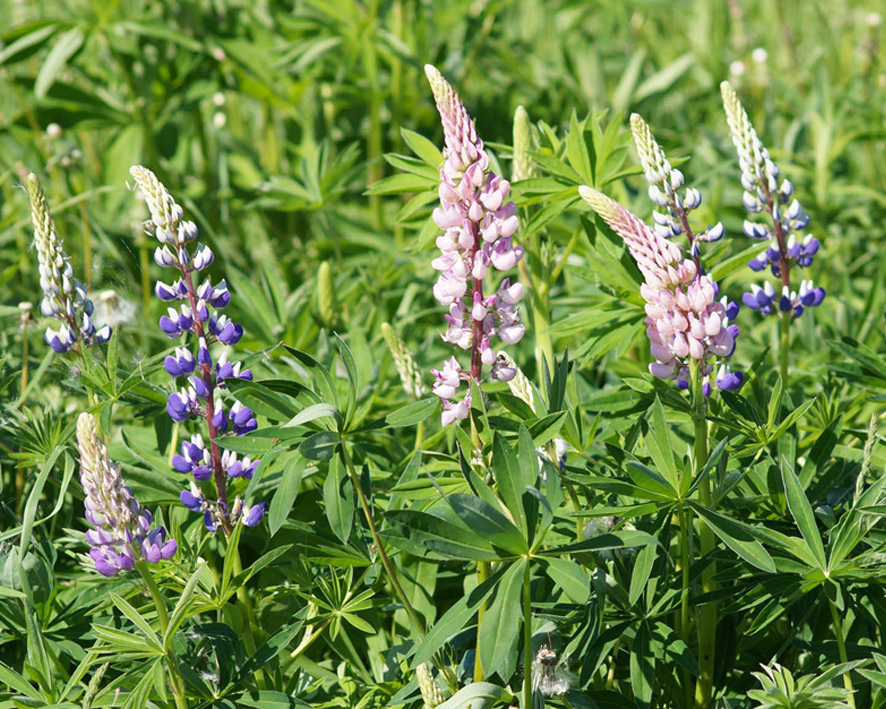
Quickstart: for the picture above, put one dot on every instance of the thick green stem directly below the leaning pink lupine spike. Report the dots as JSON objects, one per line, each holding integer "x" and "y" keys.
{"x": 707, "y": 623}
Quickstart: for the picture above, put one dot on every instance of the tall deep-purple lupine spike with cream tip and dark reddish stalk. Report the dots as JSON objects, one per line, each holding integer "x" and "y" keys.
{"x": 201, "y": 376}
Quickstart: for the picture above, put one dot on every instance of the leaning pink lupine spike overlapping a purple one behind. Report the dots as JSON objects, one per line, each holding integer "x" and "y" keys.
{"x": 684, "y": 319}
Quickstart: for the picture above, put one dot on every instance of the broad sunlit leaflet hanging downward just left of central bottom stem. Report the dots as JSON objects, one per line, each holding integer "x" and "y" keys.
{"x": 498, "y": 632}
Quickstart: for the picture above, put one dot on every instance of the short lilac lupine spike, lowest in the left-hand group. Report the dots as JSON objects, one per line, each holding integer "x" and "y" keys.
{"x": 121, "y": 533}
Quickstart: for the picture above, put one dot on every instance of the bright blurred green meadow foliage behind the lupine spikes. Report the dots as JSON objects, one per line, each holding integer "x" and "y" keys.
{"x": 269, "y": 121}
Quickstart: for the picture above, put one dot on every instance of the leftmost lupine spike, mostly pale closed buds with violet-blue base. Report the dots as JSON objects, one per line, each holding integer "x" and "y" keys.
{"x": 64, "y": 297}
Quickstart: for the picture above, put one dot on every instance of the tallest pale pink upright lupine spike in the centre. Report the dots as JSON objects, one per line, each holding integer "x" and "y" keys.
{"x": 479, "y": 224}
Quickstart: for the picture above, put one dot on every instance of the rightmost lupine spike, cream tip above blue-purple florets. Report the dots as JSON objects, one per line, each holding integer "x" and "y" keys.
{"x": 784, "y": 249}
